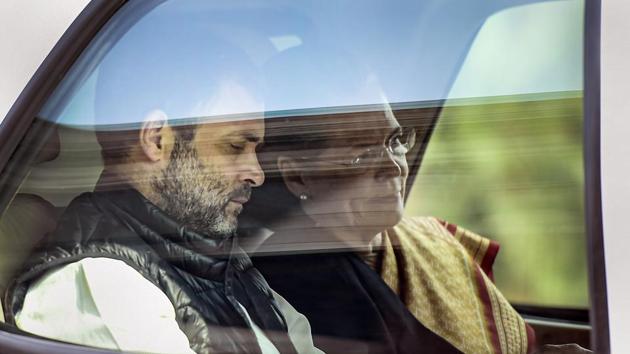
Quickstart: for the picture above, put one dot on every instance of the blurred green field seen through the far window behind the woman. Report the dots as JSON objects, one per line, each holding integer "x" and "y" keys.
{"x": 510, "y": 168}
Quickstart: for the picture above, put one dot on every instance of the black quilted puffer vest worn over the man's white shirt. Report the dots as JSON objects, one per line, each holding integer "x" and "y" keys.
{"x": 203, "y": 277}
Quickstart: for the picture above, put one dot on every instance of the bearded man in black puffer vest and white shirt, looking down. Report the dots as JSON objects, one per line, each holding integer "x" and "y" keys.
{"x": 148, "y": 261}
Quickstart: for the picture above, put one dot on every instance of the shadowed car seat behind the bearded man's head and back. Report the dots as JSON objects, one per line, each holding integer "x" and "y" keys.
{"x": 68, "y": 164}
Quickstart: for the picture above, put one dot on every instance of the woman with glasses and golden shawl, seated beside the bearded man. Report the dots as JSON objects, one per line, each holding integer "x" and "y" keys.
{"x": 337, "y": 246}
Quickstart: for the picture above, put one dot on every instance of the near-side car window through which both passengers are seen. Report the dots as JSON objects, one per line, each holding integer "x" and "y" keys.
{"x": 376, "y": 155}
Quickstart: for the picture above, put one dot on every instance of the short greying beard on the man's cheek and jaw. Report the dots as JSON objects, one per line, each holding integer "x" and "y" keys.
{"x": 194, "y": 194}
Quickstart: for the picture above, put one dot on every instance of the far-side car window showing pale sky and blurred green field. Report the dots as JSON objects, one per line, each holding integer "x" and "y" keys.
{"x": 508, "y": 149}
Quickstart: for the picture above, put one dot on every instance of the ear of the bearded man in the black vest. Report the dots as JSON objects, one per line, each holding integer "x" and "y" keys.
{"x": 155, "y": 135}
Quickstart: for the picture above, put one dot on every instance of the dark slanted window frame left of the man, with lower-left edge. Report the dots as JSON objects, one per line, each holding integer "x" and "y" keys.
{"x": 14, "y": 128}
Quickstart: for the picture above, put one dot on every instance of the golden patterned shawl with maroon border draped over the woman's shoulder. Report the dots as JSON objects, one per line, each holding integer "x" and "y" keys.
{"x": 443, "y": 274}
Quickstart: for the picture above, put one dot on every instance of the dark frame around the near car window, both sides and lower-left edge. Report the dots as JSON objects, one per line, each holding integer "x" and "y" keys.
{"x": 98, "y": 12}
